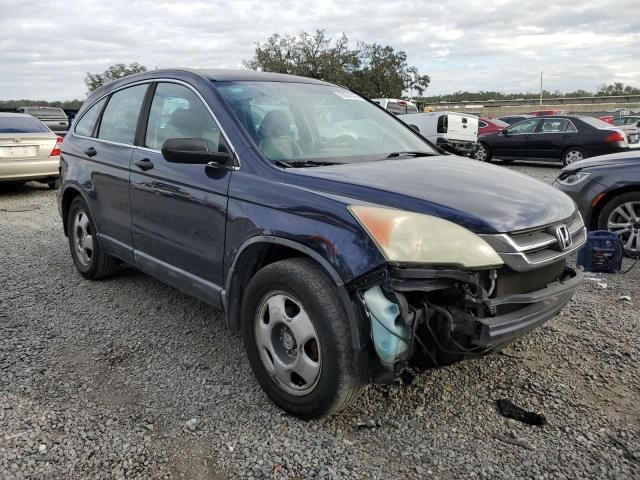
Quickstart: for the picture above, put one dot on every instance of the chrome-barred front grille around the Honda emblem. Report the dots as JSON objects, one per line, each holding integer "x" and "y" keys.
{"x": 537, "y": 247}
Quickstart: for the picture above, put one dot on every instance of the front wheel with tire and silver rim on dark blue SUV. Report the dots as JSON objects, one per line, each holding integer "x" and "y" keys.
{"x": 302, "y": 296}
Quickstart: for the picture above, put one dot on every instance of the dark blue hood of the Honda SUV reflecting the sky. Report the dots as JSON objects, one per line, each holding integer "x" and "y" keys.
{"x": 481, "y": 197}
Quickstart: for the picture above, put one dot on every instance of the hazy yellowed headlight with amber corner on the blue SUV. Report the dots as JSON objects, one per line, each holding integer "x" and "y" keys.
{"x": 408, "y": 237}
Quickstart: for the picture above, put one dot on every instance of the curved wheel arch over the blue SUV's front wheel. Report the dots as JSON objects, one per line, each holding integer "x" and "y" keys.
{"x": 260, "y": 251}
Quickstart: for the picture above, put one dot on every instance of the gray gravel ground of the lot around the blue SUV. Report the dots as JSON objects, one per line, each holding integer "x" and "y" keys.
{"x": 128, "y": 378}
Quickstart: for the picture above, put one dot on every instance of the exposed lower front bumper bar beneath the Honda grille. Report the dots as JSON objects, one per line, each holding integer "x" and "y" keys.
{"x": 539, "y": 307}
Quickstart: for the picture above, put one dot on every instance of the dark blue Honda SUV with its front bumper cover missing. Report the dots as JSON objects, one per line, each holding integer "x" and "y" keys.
{"x": 340, "y": 242}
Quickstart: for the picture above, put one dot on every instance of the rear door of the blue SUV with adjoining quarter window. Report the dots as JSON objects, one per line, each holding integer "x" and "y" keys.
{"x": 108, "y": 149}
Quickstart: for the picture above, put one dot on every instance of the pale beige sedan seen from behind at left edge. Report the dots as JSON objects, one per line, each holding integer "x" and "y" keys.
{"x": 28, "y": 150}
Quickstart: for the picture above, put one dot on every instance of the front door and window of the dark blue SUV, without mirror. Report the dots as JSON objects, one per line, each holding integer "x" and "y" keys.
{"x": 179, "y": 210}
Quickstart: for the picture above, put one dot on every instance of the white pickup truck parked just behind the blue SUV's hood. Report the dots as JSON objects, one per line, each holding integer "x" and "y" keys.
{"x": 454, "y": 132}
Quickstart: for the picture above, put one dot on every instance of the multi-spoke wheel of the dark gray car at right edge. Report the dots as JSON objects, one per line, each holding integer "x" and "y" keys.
{"x": 613, "y": 213}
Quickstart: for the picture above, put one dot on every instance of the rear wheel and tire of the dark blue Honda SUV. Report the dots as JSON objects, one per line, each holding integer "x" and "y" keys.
{"x": 87, "y": 253}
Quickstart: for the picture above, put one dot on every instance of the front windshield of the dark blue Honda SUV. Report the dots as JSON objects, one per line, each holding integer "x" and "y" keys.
{"x": 320, "y": 123}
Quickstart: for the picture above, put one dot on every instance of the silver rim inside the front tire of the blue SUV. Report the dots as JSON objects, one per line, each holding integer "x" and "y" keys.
{"x": 288, "y": 343}
